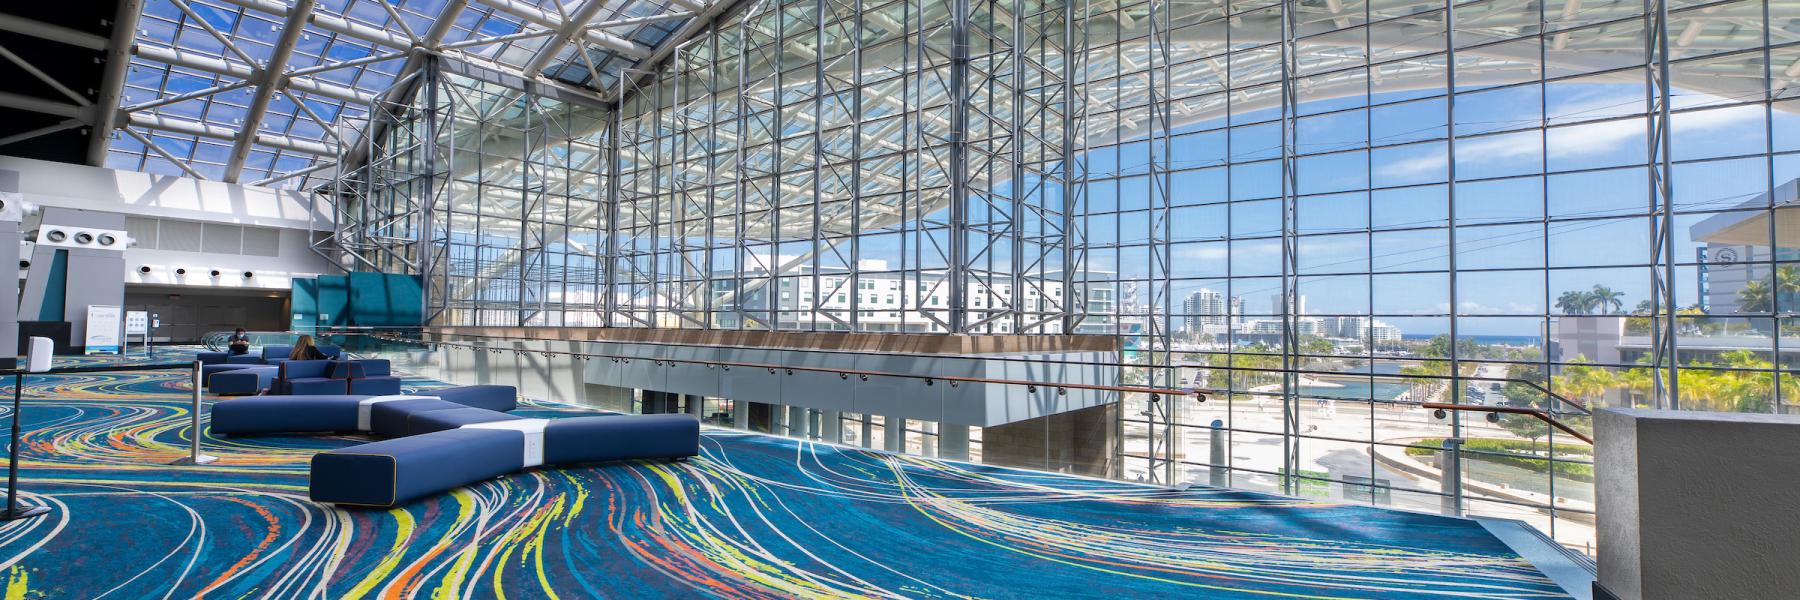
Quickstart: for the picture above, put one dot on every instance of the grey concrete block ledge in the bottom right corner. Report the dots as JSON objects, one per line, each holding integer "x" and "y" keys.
{"x": 1698, "y": 505}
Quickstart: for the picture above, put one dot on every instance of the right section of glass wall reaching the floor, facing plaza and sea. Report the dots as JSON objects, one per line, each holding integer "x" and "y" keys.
{"x": 1336, "y": 212}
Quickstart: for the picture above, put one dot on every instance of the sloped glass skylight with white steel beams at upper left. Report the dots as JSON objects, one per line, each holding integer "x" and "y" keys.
{"x": 201, "y": 104}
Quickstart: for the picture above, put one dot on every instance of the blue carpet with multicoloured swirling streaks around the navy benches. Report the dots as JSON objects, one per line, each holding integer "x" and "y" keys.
{"x": 753, "y": 518}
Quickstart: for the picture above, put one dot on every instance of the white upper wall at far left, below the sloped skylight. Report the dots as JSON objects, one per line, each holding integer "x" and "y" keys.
{"x": 55, "y": 185}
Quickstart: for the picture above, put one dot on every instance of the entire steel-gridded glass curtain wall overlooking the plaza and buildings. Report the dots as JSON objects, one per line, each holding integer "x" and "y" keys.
{"x": 1324, "y": 215}
